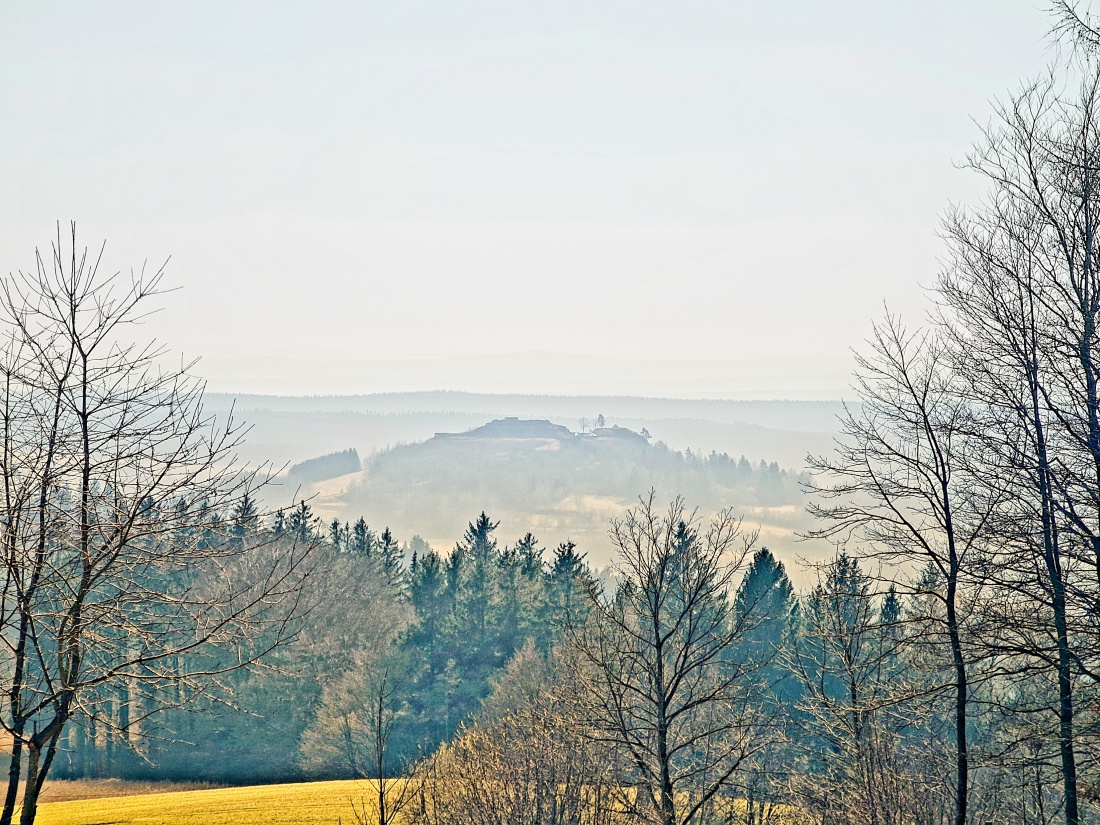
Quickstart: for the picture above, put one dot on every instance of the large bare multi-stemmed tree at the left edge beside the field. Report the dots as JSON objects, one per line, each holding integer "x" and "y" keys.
{"x": 118, "y": 566}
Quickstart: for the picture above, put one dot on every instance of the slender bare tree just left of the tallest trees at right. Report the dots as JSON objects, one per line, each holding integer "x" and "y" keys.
{"x": 898, "y": 491}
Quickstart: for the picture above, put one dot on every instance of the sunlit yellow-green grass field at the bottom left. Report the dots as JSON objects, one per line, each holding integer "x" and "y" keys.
{"x": 307, "y": 804}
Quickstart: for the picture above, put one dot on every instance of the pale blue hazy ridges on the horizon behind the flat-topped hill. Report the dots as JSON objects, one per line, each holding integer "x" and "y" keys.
{"x": 288, "y": 430}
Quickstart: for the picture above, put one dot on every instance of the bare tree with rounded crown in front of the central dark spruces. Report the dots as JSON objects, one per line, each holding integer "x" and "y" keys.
{"x": 667, "y": 686}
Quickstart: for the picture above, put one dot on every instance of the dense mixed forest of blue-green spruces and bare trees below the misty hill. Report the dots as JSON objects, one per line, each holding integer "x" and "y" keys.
{"x": 834, "y": 700}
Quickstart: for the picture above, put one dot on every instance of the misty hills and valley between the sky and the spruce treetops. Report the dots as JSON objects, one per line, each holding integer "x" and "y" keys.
{"x": 453, "y": 488}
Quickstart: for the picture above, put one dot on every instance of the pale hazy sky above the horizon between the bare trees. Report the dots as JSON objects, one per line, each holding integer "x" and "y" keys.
{"x": 700, "y": 199}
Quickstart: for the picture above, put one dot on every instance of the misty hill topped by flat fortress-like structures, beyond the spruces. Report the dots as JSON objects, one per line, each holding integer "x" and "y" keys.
{"x": 540, "y": 476}
